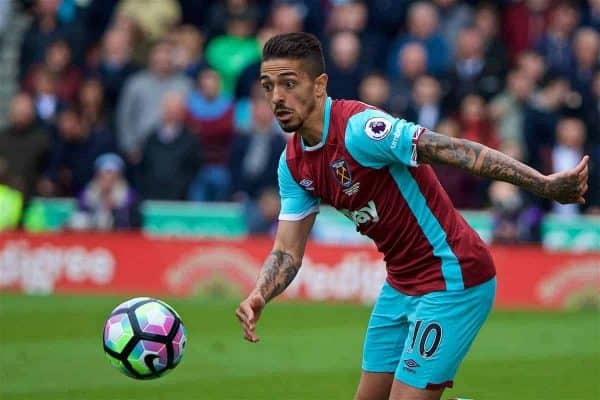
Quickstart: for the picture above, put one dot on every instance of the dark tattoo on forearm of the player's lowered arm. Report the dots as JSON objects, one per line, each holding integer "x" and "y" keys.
{"x": 277, "y": 273}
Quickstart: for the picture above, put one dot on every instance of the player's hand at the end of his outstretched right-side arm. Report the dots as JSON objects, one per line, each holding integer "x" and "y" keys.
{"x": 568, "y": 186}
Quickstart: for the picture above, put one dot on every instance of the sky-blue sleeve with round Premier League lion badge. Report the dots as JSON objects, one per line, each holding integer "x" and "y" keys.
{"x": 376, "y": 139}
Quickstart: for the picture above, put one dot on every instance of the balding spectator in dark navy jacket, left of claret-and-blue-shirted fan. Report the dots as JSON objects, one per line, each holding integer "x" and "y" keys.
{"x": 171, "y": 155}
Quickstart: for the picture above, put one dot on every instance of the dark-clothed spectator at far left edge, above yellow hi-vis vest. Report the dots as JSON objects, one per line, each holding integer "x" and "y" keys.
{"x": 24, "y": 146}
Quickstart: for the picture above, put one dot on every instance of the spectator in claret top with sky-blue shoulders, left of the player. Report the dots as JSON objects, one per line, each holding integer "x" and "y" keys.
{"x": 211, "y": 117}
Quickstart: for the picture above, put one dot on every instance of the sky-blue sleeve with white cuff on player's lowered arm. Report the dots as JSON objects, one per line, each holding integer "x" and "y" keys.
{"x": 296, "y": 203}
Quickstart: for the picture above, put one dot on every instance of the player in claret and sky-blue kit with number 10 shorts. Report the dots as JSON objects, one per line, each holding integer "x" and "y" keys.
{"x": 374, "y": 168}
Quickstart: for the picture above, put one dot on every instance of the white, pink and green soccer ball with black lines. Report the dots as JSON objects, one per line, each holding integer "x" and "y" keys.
{"x": 144, "y": 338}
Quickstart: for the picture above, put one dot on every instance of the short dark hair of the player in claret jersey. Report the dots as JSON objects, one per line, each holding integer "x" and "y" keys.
{"x": 299, "y": 46}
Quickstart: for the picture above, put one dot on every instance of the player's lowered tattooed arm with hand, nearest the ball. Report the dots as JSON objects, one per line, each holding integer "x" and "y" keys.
{"x": 278, "y": 271}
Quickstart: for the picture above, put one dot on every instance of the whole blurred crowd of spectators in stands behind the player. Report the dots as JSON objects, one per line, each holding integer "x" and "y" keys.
{"x": 127, "y": 100}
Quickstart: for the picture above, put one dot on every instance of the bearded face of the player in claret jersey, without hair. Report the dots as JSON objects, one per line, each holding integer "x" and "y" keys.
{"x": 289, "y": 90}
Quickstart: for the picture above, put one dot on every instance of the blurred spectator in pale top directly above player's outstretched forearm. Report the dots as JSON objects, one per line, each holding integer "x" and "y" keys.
{"x": 507, "y": 109}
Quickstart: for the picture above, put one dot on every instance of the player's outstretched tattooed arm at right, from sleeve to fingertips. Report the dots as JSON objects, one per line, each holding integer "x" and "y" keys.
{"x": 564, "y": 187}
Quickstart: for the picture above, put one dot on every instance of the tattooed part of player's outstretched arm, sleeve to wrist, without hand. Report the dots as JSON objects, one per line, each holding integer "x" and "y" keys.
{"x": 479, "y": 160}
